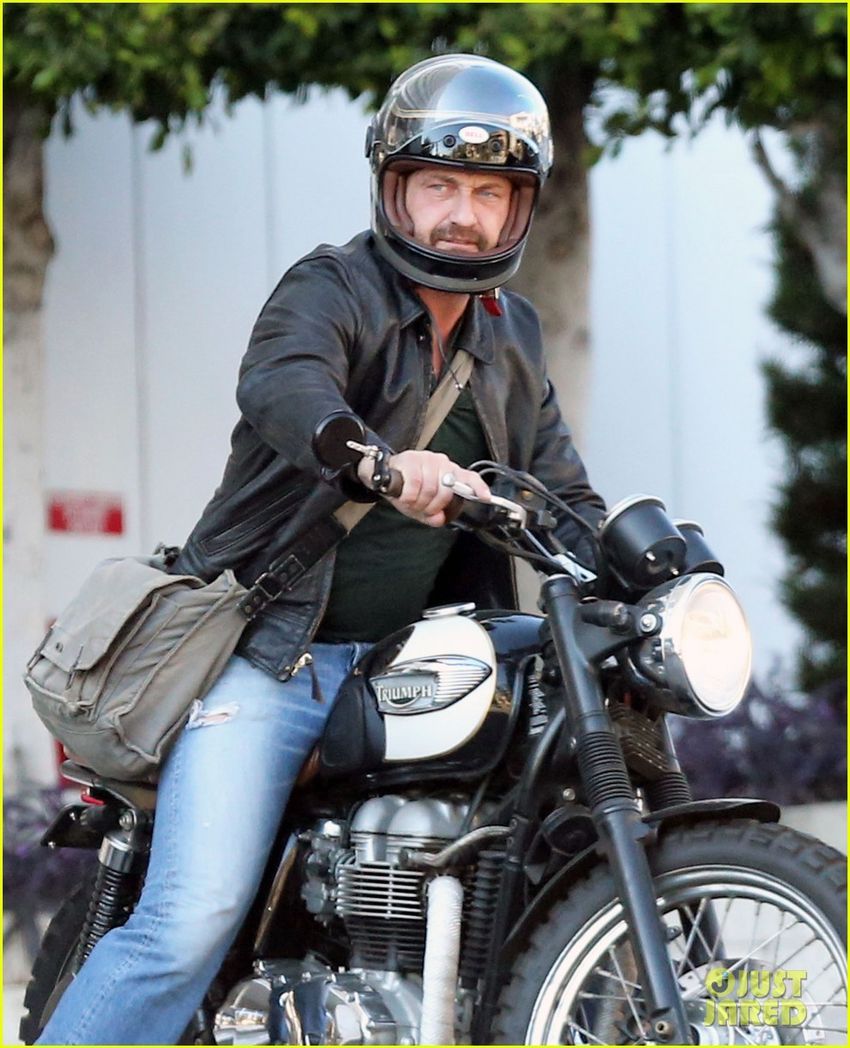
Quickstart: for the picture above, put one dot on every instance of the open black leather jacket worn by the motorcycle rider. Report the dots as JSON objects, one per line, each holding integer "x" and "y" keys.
{"x": 343, "y": 331}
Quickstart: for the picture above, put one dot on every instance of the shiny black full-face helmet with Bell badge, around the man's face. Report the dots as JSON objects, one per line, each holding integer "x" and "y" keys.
{"x": 459, "y": 112}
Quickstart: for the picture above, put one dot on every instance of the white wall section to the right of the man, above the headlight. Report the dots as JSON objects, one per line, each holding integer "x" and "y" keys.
{"x": 682, "y": 275}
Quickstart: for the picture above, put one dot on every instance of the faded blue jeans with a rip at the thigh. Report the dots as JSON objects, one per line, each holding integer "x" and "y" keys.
{"x": 223, "y": 792}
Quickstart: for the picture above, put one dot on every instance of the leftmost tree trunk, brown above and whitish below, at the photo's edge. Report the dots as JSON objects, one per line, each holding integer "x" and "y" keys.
{"x": 28, "y": 247}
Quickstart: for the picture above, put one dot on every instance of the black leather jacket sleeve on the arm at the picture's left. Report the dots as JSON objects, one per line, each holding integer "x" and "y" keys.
{"x": 295, "y": 373}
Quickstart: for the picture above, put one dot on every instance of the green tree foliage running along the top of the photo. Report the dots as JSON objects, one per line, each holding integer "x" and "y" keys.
{"x": 775, "y": 65}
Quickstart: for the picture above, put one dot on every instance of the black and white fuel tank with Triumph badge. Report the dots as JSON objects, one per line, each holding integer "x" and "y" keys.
{"x": 434, "y": 698}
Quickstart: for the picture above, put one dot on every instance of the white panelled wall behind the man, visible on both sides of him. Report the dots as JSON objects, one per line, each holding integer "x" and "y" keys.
{"x": 160, "y": 275}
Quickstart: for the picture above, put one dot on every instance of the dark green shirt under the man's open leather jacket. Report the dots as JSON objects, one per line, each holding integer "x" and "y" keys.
{"x": 387, "y": 567}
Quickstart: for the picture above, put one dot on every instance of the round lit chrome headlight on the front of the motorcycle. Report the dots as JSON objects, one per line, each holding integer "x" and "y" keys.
{"x": 704, "y": 654}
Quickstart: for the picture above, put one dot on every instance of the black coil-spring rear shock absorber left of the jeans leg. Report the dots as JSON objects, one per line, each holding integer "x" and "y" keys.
{"x": 118, "y": 884}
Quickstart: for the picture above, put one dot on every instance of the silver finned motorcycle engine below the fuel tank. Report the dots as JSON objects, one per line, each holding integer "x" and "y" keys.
{"x": 353, "y": 874}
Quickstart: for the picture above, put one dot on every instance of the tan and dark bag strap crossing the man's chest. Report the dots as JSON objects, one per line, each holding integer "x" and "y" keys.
{"x": 286, "y": 571}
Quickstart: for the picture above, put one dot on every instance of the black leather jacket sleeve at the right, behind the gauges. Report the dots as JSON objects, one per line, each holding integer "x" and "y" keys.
{"x": 558, "y": 465}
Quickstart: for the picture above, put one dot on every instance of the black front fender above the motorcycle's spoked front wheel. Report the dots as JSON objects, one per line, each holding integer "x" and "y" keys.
{"x": 680, "y": 815}
